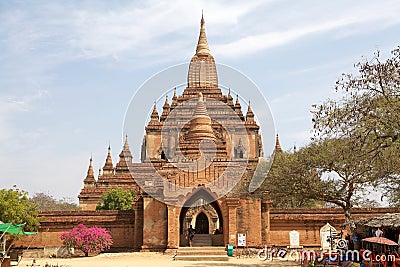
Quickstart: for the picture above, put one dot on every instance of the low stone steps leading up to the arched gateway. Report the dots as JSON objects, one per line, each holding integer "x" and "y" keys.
{"x": 201, "y": 254}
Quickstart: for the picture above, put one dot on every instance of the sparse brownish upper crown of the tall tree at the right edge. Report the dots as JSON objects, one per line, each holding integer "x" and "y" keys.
{"x": 370, "y": 107}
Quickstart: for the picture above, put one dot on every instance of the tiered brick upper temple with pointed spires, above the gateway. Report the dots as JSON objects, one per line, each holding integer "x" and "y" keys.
{"x": 201, "y": 118}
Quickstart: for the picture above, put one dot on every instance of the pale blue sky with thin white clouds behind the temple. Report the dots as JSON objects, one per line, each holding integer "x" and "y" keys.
{"x": 68, "y": 70}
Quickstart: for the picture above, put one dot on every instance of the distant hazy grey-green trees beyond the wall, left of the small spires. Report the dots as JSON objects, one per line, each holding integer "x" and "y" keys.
{"x": 48, "y": 203}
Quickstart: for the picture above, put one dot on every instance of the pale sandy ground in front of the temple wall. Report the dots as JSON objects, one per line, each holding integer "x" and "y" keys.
{"x": 146, "y": 259}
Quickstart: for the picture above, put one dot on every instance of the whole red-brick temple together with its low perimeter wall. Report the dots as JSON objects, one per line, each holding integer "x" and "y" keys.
{"x": 196, "y": 157}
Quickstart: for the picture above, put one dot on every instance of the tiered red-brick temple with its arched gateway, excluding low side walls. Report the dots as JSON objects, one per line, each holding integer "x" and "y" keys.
{"x": 195, "y": 158}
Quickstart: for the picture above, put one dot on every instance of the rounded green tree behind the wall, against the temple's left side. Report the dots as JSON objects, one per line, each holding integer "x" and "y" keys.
{"x": 116, "y": 199}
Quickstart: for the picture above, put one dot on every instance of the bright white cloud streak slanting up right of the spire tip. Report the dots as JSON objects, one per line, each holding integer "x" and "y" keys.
{"x": 355, "y": 19}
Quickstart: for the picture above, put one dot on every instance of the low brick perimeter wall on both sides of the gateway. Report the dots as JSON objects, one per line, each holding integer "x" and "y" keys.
{"x": 121, "y": 225}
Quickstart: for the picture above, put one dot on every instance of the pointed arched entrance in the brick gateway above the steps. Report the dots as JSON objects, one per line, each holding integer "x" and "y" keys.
{"x": 204, "y": 215}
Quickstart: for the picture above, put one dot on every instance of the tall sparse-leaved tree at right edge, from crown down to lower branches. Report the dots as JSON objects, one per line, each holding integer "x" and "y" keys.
{"x": 368, "y": 113}
